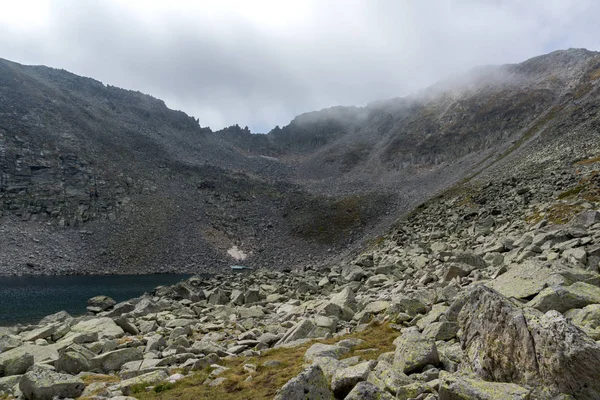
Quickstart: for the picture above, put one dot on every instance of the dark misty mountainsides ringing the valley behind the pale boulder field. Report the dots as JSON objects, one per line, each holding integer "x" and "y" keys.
{"x": 100, "y": 179}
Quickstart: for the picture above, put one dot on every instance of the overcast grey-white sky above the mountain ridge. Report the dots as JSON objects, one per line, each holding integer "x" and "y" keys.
{"x": 261, "y": 62}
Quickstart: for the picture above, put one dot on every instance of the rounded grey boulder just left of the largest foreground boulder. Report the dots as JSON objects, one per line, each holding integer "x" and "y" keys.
{"x": 414, "y": 351}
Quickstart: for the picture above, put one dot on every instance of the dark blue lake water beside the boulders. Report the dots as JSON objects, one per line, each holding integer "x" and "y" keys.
{"x": 27, "y": 299}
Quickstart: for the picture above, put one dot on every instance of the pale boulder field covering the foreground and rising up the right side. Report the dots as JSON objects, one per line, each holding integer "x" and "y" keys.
{"x": 492, "y": 293}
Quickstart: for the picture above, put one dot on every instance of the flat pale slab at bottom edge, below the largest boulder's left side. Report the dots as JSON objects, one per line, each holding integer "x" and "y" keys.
{"x": 454, "y": 387}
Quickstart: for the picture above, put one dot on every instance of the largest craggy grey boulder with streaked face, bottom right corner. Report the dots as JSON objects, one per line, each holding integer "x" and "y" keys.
{"x": 505, "y": 342}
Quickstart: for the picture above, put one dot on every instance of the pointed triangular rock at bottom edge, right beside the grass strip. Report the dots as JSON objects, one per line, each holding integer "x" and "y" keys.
{"x": 309, "y": 384}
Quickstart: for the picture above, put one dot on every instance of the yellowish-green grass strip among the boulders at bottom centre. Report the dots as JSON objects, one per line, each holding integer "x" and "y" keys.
{"x": 266, "y": 380}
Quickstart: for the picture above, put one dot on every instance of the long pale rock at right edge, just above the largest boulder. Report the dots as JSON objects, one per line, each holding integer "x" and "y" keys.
{"x": 563, "y": 298}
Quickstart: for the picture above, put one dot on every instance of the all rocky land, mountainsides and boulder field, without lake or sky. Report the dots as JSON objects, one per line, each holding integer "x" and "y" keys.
{"x": 444, "y": 245}
